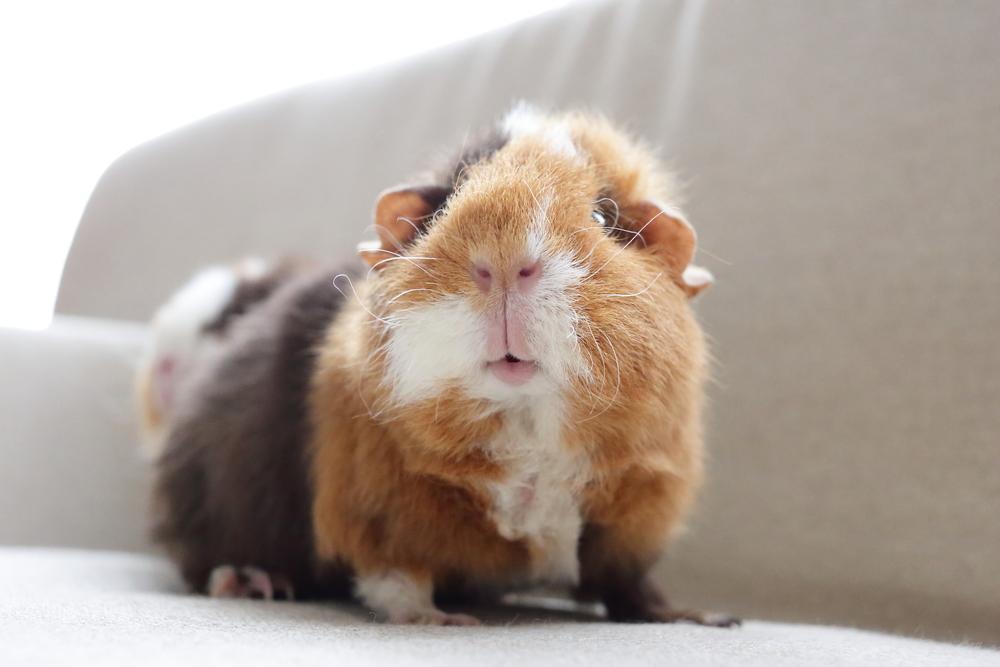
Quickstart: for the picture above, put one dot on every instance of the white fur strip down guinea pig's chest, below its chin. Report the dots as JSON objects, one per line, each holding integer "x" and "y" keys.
{"x": 539, "y": 499}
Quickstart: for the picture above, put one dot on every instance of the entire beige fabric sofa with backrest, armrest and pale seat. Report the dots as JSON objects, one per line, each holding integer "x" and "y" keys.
{"x": 841, "y": 163}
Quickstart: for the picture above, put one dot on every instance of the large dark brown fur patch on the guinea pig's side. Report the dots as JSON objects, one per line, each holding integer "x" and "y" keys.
{"x": 233, "y": 484}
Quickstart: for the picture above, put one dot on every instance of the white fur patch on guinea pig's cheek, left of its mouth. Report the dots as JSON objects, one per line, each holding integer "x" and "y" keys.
{"x": 431, "y": 346}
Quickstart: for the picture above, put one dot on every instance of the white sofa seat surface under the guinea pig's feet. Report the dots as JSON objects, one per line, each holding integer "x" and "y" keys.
{"x": 91, "y": 607}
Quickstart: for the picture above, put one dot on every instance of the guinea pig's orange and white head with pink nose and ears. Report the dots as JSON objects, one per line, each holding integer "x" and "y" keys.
{"x": 551, "y": 263}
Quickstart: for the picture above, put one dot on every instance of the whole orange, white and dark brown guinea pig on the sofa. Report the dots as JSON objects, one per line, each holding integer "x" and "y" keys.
{"x": 509, "y": 397}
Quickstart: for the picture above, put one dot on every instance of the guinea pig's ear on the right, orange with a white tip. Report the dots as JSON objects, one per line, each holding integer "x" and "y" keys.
{"x": 666, "y": 233}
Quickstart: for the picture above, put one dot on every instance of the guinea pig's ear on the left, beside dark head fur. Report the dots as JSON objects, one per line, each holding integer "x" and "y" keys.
{"x": 400, "y": 215}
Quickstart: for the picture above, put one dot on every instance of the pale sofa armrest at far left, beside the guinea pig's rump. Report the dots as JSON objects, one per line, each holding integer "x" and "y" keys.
{"x": 70, "y": 470}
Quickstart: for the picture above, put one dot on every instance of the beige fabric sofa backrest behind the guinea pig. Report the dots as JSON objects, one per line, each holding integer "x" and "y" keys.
{"x": 842, "y": 163}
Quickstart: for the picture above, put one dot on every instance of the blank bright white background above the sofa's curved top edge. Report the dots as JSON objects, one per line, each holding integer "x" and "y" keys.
{"x": 85, "y": 81}
